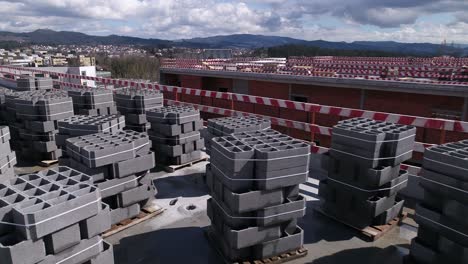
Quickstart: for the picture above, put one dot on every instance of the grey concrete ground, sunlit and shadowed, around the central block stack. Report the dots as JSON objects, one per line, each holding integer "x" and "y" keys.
{"x": 176, "y": 236}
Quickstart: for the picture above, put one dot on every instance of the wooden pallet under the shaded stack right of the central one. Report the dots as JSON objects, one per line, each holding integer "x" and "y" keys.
{"x": 371, "y": 233}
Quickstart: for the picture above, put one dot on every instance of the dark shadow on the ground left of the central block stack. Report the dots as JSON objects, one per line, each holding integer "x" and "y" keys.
{"x": 176, "y": 245}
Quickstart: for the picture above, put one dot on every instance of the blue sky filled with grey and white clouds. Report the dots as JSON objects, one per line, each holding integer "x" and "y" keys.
{"x": 337, "y": 20}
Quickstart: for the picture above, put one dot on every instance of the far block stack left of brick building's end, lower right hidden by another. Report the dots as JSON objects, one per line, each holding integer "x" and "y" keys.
{"x": 133, "y": 104}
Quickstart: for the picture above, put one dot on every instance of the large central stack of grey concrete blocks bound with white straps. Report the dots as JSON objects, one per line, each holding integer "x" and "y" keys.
{"x": 254, "y": 180}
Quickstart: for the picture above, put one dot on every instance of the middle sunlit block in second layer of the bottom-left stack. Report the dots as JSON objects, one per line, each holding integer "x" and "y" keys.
{"x": 62, "y": 239}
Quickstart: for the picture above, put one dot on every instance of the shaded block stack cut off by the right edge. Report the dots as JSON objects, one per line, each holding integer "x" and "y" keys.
{"x": 442, "y": 215}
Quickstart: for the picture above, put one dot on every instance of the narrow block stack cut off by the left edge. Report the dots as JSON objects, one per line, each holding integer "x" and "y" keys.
{"x": 7, "y": 157}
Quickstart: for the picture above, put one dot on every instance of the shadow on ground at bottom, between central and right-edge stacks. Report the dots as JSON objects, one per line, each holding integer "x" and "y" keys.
{"x": 369, "y": 255}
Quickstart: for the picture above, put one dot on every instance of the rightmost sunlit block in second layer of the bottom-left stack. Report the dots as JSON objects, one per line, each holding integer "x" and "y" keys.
{"x": 97, "y": 224}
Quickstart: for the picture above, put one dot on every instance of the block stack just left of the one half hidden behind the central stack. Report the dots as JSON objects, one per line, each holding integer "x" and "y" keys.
{"x": 175, "y": 133}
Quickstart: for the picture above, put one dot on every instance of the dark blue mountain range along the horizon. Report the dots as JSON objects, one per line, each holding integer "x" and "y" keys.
{"x": 50, "y": 37}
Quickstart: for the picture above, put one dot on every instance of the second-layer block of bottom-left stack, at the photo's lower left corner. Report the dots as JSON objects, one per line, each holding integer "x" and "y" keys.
{"x": 14, "y": 249}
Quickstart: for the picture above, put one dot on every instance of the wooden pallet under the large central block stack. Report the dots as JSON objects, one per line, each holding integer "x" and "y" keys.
{"x": 283, "y": 258}
